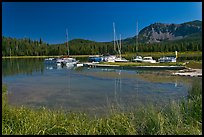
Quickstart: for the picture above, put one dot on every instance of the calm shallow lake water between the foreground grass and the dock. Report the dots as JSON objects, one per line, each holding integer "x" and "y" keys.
{"x": 33, "y": 83}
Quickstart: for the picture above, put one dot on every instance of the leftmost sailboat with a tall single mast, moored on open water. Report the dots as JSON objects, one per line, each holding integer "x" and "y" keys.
{"x": 66, "y": 60}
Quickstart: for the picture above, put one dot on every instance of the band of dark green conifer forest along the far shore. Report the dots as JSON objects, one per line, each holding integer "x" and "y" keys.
{"x": 28, "y": 47}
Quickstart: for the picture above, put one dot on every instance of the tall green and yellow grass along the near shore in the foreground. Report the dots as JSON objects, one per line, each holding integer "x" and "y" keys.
{"x": 184, "y": 117}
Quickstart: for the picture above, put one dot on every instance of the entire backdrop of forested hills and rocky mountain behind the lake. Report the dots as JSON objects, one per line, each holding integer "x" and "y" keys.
{"x": 163, "y": 37}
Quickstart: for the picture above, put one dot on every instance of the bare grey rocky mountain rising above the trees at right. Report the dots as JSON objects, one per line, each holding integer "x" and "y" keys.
{"x": 159, "y": 32}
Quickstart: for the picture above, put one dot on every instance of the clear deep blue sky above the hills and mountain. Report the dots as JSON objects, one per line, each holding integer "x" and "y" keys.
{"x": 90, "y": 20}
